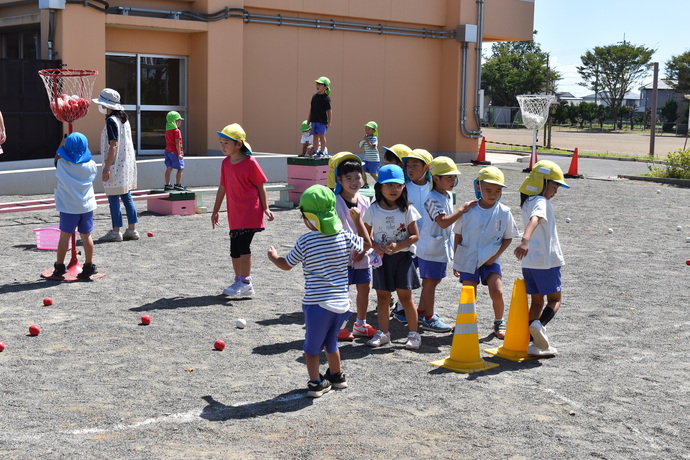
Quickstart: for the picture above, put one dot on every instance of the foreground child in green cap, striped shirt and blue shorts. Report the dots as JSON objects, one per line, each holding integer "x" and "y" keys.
{"x": 324, "y": 253}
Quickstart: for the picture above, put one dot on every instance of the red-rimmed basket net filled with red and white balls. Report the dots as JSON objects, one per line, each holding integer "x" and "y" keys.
{"x": 69, "y": 92}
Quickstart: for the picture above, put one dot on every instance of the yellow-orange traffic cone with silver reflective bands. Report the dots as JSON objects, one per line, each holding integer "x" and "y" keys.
{"x": 464, "y": 352}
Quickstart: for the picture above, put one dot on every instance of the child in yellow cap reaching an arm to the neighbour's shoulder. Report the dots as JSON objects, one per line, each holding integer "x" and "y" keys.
{"x": 434, "y": 249}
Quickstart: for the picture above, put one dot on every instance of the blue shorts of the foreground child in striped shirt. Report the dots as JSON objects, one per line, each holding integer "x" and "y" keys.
{"x": 322, "y": 328}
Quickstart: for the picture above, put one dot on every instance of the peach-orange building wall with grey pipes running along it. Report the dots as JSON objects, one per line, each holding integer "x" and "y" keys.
{"x": 262, "y": 76}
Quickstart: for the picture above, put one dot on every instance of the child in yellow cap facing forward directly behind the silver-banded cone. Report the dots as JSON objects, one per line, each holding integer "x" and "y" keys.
{"x": 481, "y": 236}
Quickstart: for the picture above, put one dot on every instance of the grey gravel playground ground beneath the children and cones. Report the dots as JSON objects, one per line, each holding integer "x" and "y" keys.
{"x": 97, "y": 384}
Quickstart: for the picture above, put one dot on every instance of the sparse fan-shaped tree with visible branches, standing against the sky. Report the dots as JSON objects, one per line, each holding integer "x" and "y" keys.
{"x": 613, "y": 70}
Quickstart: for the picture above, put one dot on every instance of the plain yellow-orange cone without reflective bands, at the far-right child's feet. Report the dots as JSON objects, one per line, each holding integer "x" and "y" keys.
{"x": 517, "y": 330}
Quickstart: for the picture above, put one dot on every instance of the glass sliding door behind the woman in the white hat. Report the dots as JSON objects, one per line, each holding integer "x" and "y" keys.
{"x": 150, "y": 86}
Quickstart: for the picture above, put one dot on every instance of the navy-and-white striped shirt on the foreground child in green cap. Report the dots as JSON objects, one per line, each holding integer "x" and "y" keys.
{"x": 324, "y": 261}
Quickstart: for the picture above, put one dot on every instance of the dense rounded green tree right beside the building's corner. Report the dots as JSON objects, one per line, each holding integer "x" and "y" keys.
{"x": 516, "y": 68}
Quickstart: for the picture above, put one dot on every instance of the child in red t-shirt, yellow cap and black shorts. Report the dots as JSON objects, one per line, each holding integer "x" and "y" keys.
{"x": 242, "y": 182}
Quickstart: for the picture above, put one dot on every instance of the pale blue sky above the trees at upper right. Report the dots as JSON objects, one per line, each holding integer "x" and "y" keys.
{"x": 568, "y": 29}
